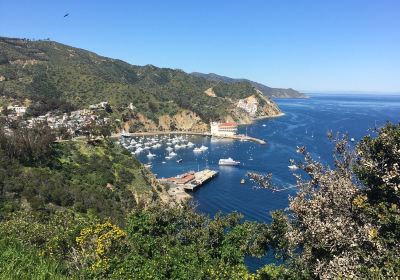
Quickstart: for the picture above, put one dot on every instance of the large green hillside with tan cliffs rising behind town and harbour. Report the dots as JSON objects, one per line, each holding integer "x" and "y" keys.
{"x": 39, "y": 71}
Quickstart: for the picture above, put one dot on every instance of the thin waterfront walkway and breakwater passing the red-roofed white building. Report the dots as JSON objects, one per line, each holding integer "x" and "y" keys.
{"x": 239, "y": 137}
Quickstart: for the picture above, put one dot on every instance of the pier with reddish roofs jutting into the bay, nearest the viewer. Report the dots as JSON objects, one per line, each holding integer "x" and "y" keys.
{"x": 190, "y": 180}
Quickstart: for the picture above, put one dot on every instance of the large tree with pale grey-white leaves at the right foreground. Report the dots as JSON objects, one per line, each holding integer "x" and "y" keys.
{"x": 337, "y": 226}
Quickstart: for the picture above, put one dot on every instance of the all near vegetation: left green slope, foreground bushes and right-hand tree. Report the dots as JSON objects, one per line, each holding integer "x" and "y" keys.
{"x": 72, "y": 210}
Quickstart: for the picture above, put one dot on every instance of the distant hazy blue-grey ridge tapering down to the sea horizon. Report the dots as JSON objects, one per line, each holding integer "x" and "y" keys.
{"x": 267, "y": 91}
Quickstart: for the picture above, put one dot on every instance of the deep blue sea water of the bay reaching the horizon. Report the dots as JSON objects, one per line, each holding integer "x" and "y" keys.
{"x": 306, "y": 122}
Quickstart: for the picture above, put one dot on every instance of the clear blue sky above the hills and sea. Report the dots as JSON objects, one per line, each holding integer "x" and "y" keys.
{"x": 304, "y": 44}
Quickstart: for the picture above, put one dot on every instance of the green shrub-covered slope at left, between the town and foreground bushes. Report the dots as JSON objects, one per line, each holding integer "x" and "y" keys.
{"x": 41, "y": 175}
